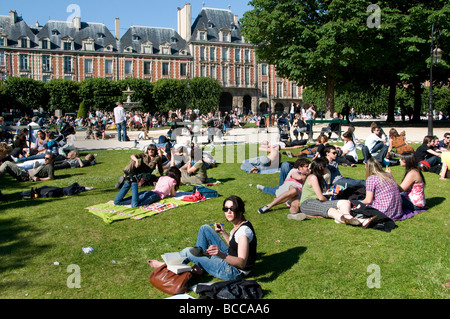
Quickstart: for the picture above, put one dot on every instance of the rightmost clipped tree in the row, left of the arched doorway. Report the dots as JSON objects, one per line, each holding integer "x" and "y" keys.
{"x": 205, "y": 93}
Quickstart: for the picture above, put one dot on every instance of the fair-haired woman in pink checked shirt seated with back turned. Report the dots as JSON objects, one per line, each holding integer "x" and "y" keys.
{"x": 382, "y": 192}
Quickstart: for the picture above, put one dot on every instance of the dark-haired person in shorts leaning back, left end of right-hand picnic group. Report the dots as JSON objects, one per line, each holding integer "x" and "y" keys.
{"x": 291, "y": 190}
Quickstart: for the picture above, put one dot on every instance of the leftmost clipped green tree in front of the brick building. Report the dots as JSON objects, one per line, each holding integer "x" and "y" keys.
{"x": 25, "y": 93}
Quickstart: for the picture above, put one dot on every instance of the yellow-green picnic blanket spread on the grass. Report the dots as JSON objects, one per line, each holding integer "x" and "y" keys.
{"x": 111, "y": 213}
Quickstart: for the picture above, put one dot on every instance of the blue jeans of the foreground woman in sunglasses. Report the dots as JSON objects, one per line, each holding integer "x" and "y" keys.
{"x": 213, "y": 265}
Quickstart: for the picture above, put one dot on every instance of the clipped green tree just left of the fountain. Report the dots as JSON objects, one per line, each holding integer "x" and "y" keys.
{"x": 99, "y": 94}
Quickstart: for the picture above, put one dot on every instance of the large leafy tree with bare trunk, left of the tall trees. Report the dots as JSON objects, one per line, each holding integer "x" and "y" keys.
{"x": 310, "y": 42}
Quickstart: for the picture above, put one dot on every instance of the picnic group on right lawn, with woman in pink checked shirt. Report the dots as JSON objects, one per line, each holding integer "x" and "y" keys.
{"x": 306, "y": 186}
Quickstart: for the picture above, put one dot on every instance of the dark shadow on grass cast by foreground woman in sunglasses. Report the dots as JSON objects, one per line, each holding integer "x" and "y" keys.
{"x": 269, "y": 267}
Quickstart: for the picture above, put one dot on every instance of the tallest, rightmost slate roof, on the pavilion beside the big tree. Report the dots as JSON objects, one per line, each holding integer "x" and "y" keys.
{"x": 220, "y": 19}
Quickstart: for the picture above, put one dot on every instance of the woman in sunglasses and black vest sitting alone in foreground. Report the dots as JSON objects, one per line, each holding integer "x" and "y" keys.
{"x": 228, "y": 259}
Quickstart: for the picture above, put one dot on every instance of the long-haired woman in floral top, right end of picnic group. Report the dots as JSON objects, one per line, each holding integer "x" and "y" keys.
{"x": 412, "y": 187}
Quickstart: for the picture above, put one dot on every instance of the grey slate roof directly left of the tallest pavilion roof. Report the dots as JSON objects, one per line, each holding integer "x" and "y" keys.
{"x": 137, "y": 35}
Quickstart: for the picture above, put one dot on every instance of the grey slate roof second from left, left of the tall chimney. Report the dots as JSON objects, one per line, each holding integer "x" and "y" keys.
{"x": 88, "y": 30}
